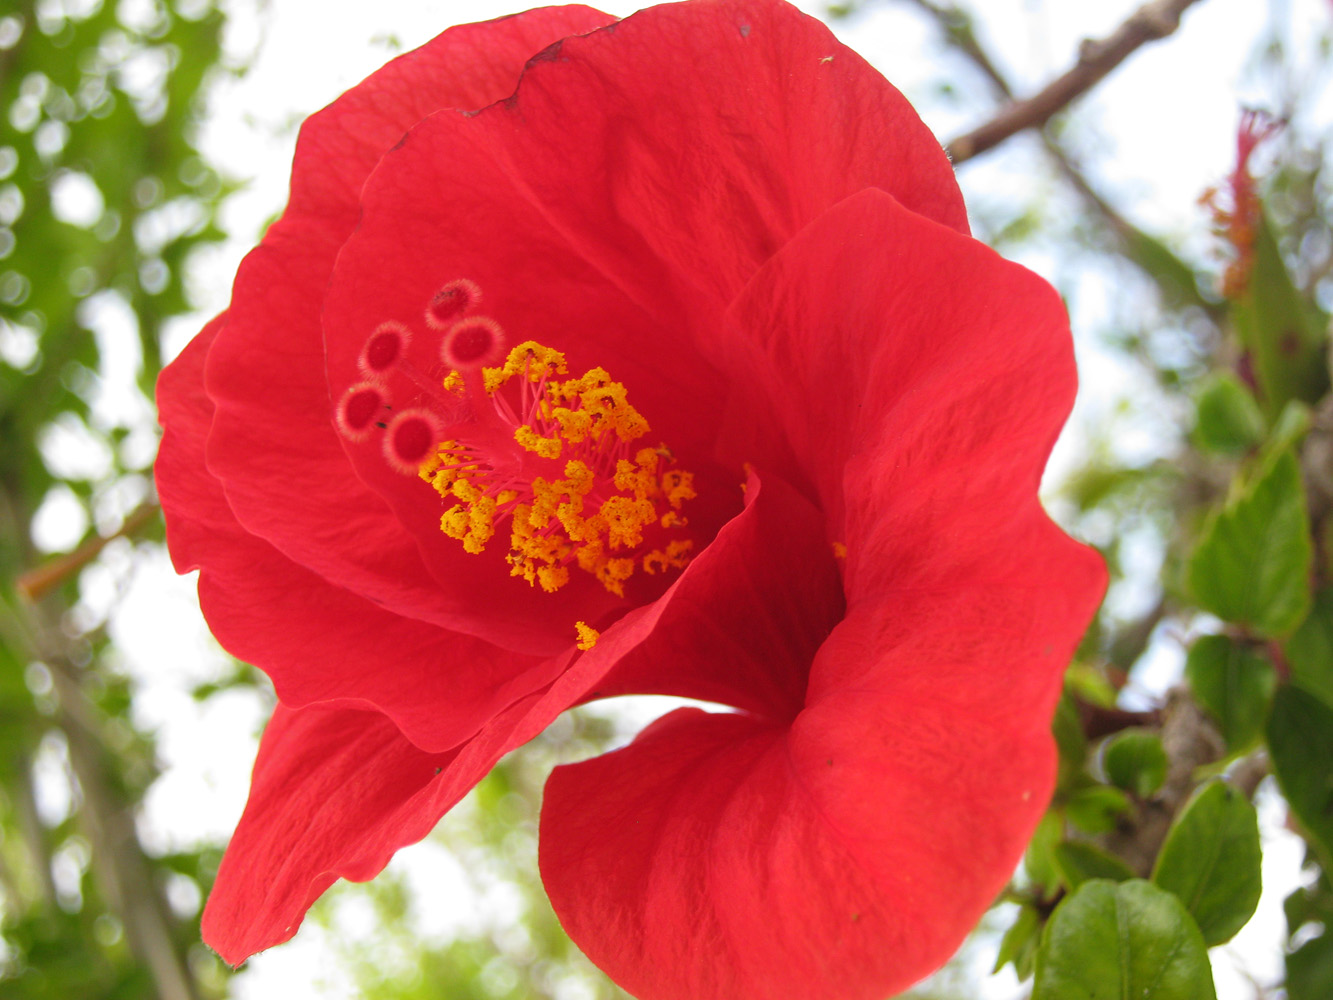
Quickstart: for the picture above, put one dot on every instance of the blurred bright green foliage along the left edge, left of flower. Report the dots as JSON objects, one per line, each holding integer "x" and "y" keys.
{"x": 103, "y": 197}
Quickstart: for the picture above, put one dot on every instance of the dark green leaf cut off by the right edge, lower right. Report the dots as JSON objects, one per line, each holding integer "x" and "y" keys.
{"x": 1300, "y": 743}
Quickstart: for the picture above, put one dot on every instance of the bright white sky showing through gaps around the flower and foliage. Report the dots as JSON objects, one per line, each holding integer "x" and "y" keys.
{"x": 1163, "y": 129}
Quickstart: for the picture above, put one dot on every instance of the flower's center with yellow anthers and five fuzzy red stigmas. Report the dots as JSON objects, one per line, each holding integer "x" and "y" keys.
{"x": 518, "y": 445}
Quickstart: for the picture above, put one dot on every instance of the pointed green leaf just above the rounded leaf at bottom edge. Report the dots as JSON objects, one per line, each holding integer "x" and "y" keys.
{"x": 1211, "y": 861}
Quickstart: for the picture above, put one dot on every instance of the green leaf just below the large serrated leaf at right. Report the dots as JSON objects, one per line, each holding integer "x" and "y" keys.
{"x": 1235, "y": 686}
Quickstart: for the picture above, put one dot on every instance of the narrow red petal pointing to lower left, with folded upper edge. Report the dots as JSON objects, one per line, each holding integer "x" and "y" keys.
{"x": 337, "y": 791}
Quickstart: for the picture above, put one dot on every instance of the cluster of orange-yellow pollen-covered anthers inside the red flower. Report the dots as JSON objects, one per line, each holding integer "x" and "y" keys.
{"x": 597, "y": 503}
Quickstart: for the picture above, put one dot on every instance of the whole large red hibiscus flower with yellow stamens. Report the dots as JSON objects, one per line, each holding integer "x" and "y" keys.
{"x": 666, "y": 369}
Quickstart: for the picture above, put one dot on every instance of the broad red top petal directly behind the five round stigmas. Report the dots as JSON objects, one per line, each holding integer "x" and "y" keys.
{"x": 627, "y": 193}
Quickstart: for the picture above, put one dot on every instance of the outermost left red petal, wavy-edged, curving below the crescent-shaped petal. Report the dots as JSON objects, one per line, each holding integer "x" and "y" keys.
{"x": 318, "y": 642}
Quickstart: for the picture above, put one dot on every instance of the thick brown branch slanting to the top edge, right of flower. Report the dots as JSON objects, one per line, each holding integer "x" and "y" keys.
{"x": 1096, "y": 59}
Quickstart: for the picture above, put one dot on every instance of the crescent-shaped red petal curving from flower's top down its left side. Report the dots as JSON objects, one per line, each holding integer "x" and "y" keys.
{"x": 274, "y": 446}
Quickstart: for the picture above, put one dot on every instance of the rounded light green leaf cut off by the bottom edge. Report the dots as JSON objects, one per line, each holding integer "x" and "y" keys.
{"x": 1110, "y": 942}
